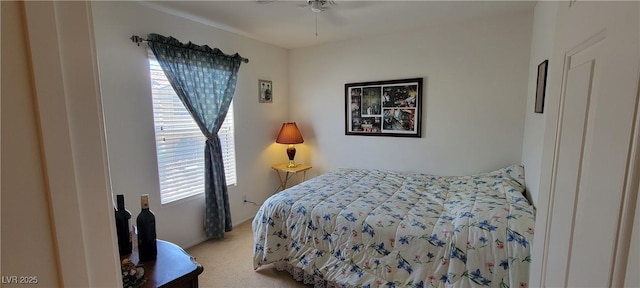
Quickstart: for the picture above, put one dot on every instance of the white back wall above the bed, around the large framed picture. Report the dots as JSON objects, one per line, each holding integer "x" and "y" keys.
{"x": 475, "y": 83}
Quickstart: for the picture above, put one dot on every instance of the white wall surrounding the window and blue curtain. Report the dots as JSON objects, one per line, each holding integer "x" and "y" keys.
{"x": 128, "y": 114}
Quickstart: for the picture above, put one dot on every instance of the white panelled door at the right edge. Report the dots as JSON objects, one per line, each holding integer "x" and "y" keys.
{"x": 589, "y": 131}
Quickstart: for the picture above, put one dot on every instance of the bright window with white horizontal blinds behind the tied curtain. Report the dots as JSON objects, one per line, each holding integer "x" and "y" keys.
{"x": 180, "y": 144}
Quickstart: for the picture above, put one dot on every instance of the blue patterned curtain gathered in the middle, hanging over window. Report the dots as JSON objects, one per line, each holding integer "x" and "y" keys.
{"x": 205, "y": 80}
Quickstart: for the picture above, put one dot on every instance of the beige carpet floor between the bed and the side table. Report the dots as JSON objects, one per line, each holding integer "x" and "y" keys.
{"x": 229, "y": 263}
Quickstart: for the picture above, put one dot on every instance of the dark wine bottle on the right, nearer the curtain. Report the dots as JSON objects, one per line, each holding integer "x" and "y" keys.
{"x": 146, "y": 221}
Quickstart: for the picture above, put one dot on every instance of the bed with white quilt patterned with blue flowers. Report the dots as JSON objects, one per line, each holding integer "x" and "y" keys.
{"x": 373, "y": 228}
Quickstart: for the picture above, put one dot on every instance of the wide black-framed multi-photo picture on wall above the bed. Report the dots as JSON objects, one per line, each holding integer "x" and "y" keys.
{"x": 384, "y": 108}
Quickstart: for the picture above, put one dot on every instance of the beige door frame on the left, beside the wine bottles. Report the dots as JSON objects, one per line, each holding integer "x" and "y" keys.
{"x": 69, "y": 110}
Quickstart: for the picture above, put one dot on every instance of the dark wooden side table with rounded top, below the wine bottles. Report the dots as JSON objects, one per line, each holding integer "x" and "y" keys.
{"x": 172, "y": 268}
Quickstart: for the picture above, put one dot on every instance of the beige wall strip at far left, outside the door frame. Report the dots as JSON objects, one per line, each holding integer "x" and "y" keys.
{"x": 24, "y": 191}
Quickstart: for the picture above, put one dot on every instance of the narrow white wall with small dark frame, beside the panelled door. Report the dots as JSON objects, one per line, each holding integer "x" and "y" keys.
{"x": 542, "y": 39}
